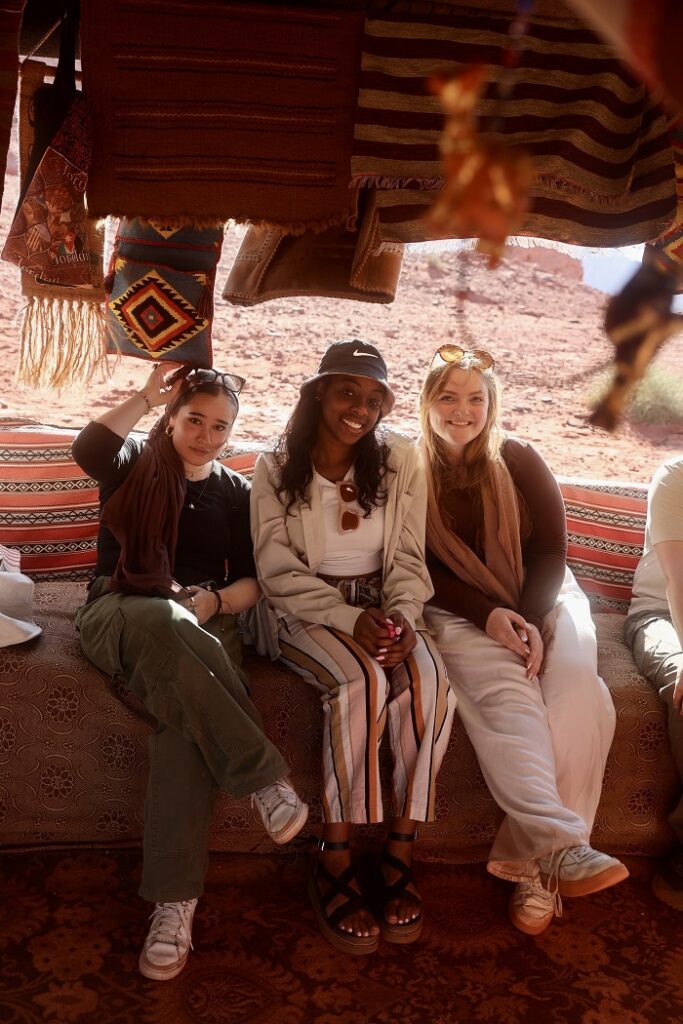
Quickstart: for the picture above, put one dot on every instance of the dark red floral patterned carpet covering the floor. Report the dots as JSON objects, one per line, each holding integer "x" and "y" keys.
{"x": 71, "y": 927}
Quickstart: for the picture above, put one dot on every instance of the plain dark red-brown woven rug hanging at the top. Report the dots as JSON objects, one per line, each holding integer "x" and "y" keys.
{"x": 227, "y": 111}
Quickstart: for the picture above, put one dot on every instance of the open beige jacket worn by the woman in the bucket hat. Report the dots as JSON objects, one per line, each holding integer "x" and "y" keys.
{"x": 289, "y": 548}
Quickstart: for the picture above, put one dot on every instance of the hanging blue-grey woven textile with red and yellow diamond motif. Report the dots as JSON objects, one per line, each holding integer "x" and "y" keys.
{"x": 160, "y": 302}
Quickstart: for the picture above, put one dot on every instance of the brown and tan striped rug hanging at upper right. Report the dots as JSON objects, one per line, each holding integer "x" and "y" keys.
{"x": 605, "y": 173}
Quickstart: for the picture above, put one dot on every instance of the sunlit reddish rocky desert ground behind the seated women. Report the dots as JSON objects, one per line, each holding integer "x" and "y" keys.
{"x": 534, "y": 314}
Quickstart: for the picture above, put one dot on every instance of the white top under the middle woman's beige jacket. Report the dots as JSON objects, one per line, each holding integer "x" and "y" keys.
{"x": 358, "y": 552}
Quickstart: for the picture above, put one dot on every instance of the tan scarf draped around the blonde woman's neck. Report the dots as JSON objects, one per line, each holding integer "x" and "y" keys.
{"x": 501, "y": 576}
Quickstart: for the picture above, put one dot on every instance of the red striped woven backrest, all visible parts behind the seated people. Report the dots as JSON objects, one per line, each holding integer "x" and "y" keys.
{"x": 49, "y": 510}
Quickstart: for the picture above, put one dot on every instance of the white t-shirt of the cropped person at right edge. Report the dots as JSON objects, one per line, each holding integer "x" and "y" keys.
{"x": 665, "y": 523}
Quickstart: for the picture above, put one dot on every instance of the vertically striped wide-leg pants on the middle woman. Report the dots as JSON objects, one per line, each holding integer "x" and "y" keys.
{"x": 359, "y": 698}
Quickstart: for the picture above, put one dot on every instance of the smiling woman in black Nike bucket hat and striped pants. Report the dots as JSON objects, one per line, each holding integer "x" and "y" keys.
{"x": 338, "y": 519}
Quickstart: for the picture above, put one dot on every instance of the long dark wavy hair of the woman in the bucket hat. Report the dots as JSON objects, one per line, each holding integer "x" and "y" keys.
{"x": 293, "y": 457}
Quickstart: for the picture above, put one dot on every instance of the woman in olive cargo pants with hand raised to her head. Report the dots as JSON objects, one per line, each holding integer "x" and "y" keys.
{"x": 172, "y": 519}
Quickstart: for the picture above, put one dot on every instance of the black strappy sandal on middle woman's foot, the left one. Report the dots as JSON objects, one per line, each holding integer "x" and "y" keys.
{"x": 339, "y": 885}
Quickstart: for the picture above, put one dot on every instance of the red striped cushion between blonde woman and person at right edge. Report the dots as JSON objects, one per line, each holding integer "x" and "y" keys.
{"x": 606, "y": 531}
